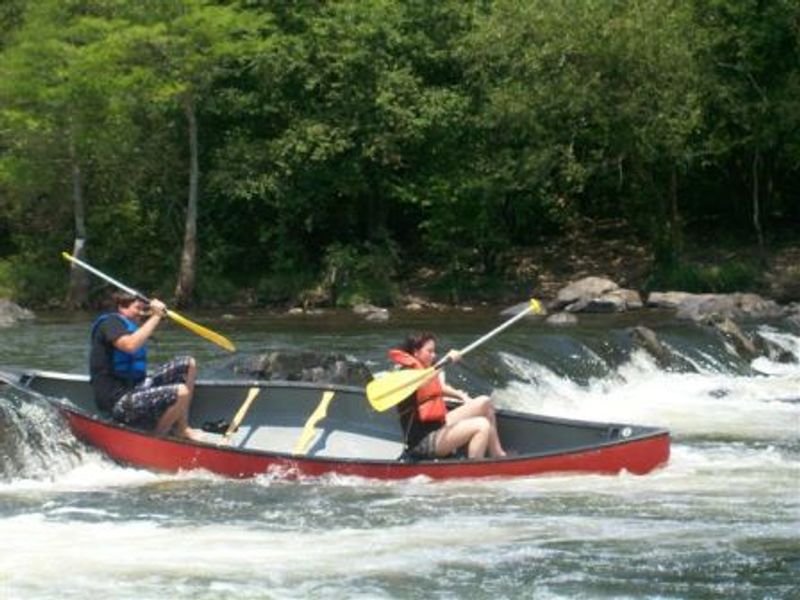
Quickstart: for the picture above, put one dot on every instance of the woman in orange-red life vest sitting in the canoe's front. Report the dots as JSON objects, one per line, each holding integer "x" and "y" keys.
{"x": 431, "y": 431}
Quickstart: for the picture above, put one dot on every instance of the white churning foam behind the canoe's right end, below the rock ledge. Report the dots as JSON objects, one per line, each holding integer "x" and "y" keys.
{"x": 712, "y": 403}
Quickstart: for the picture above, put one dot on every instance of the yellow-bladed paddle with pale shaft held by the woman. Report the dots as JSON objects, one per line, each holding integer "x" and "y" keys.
{"x": 391, "y": 389}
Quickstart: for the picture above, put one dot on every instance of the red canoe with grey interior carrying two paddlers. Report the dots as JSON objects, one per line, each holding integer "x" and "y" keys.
{"x": 351, "y": 439}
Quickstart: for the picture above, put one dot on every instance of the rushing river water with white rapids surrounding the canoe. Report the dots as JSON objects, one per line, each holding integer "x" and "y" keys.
{"x": 722, "y": 519}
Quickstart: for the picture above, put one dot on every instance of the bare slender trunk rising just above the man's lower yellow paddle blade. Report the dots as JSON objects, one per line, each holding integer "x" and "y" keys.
{"x": 186, "y": 275}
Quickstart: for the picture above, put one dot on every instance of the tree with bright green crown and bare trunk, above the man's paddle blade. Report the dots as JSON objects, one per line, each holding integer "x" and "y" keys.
{"x": 175, "y": 52}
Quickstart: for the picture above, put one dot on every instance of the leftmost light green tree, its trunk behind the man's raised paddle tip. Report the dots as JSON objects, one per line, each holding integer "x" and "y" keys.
{"x": 56, "y": 118}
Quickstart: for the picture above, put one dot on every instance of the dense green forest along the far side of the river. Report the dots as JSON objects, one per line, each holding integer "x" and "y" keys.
{"x": 258, "y": 152}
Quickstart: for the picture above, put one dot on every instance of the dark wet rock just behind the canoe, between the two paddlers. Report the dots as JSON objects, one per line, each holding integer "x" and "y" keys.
{"x": 319, "y": 367}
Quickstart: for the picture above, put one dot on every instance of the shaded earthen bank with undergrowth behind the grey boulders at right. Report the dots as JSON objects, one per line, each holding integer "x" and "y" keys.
{"x": 611, "y": 250}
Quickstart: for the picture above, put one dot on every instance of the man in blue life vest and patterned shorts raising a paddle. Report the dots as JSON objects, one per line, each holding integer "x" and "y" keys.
{"x": 118, "y": 370}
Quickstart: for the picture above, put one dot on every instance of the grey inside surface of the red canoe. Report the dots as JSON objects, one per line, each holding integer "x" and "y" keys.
{"x": 350, "y": 430}
